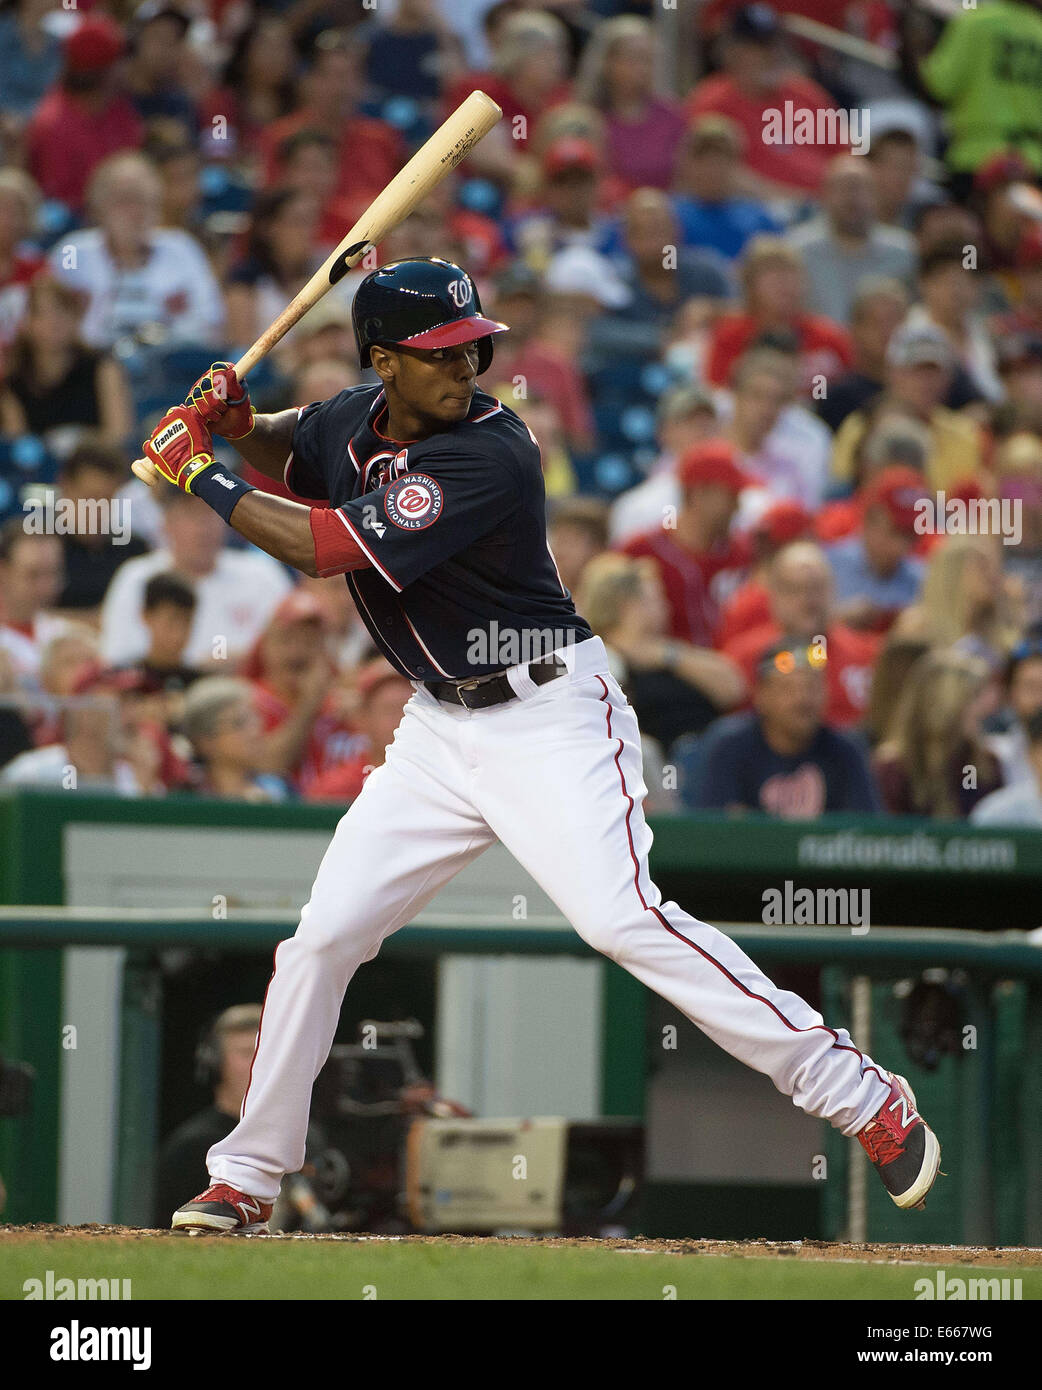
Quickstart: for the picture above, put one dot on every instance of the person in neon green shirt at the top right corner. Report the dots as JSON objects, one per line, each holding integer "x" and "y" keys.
{"x": 987, "y": 73}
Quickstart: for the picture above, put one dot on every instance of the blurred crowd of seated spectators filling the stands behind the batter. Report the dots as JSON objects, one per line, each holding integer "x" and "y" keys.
{"x": 754, "y": 370}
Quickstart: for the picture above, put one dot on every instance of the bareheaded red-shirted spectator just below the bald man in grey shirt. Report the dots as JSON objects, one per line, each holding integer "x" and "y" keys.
{"x": 775, "y": 315}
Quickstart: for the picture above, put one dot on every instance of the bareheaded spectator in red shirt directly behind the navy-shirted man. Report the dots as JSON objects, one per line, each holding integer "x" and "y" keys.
{"x": 801, "y": 590}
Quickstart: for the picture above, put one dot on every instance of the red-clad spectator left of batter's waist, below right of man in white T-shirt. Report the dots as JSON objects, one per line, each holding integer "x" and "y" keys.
{"x": 292, "y": 682}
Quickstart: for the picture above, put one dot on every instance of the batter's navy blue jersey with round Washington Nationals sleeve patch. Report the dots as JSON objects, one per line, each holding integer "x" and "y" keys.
{"x": 462, "y": 579}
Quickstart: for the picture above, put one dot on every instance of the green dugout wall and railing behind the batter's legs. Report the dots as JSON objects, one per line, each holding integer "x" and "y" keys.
{"x": 101, "y": 854}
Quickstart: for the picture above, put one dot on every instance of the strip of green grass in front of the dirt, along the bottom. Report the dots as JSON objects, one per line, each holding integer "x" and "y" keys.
{"x": 167, "y": 1267}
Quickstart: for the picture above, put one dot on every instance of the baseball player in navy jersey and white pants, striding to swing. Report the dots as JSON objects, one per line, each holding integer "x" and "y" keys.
{"x": 429, "y": 496}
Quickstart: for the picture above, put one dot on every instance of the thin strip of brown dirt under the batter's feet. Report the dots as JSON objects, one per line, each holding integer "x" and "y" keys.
{"x": 634, "y": 1245}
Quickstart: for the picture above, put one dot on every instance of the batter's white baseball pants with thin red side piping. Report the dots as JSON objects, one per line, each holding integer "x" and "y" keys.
{"x": 556, "y": 775}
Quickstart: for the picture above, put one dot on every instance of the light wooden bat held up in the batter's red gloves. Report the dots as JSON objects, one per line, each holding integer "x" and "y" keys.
{"x": 451, "y": 144}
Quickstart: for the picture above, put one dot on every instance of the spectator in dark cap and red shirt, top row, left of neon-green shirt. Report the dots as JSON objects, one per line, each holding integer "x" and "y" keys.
{"x": 754, "y": 83}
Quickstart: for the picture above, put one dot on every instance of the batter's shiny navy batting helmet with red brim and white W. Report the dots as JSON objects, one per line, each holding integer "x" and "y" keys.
{"x": 424, "y": 302}
